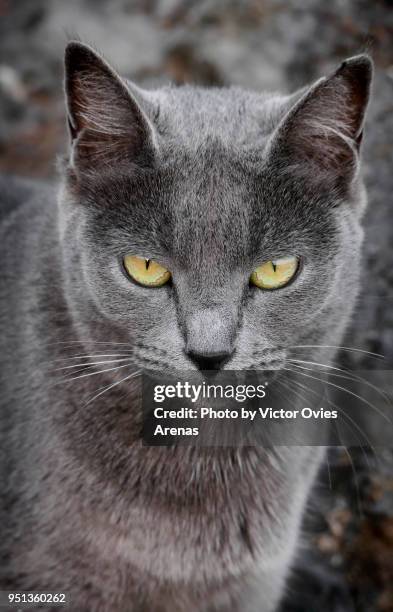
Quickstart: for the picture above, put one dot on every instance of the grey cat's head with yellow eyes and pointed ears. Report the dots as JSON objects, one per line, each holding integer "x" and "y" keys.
{"x": 249, "y": 203}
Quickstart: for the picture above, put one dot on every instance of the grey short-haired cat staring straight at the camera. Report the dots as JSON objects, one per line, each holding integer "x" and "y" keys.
{"x": 210, "y": 183}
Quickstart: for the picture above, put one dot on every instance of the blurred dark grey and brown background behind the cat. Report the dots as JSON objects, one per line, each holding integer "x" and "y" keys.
{"x": 346, "y": 562}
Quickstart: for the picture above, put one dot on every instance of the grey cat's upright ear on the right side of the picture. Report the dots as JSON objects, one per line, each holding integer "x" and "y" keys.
{"x": 321, "y": 135}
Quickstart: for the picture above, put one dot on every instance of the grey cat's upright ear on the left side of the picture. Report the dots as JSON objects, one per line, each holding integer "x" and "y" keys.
{"x": 106, "y": 123}
